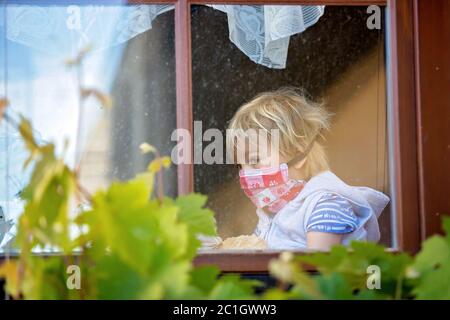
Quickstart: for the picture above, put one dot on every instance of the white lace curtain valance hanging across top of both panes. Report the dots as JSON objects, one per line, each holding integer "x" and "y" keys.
{"x": 261, "y": 32}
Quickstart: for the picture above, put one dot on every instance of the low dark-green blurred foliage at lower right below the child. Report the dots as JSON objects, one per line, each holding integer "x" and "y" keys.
{"x": 345, "y": 273}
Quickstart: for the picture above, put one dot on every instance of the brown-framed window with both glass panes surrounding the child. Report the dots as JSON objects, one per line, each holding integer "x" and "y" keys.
{"x": 164, "y": 66}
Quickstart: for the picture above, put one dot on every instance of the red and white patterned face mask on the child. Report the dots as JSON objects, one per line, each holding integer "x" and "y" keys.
{"x": 270, "y": 187}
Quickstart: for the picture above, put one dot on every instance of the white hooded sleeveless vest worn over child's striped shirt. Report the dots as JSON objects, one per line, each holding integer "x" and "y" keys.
{"x": 287, "y": 229}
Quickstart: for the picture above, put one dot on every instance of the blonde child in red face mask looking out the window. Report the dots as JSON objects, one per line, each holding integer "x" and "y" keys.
{"x": 300, "y": 203}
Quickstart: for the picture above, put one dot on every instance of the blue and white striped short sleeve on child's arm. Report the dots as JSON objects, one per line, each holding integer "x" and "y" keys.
{"x": 332, "y": 214}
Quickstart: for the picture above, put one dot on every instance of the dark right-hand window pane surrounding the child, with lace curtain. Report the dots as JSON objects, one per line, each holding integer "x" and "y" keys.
{"x": 336, "y": 59}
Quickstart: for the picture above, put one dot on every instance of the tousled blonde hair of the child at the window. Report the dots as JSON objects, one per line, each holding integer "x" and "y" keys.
{"x": 299, "y": 120}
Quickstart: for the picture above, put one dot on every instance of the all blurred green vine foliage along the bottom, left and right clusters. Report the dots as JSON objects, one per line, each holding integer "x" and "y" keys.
{"x": 134, "y": 245}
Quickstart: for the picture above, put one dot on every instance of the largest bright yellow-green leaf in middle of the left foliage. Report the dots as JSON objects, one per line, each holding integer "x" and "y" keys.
{"x": 122, "y": 217}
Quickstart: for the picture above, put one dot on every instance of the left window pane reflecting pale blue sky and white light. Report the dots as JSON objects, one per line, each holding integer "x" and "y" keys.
{"x": 119, "y": 94}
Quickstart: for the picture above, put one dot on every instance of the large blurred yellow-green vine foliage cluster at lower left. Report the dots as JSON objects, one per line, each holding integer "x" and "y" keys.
{"x": 134, "y": 245}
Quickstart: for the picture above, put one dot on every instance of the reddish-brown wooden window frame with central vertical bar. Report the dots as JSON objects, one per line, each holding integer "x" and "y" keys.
{"x": 404, "y": 152}
